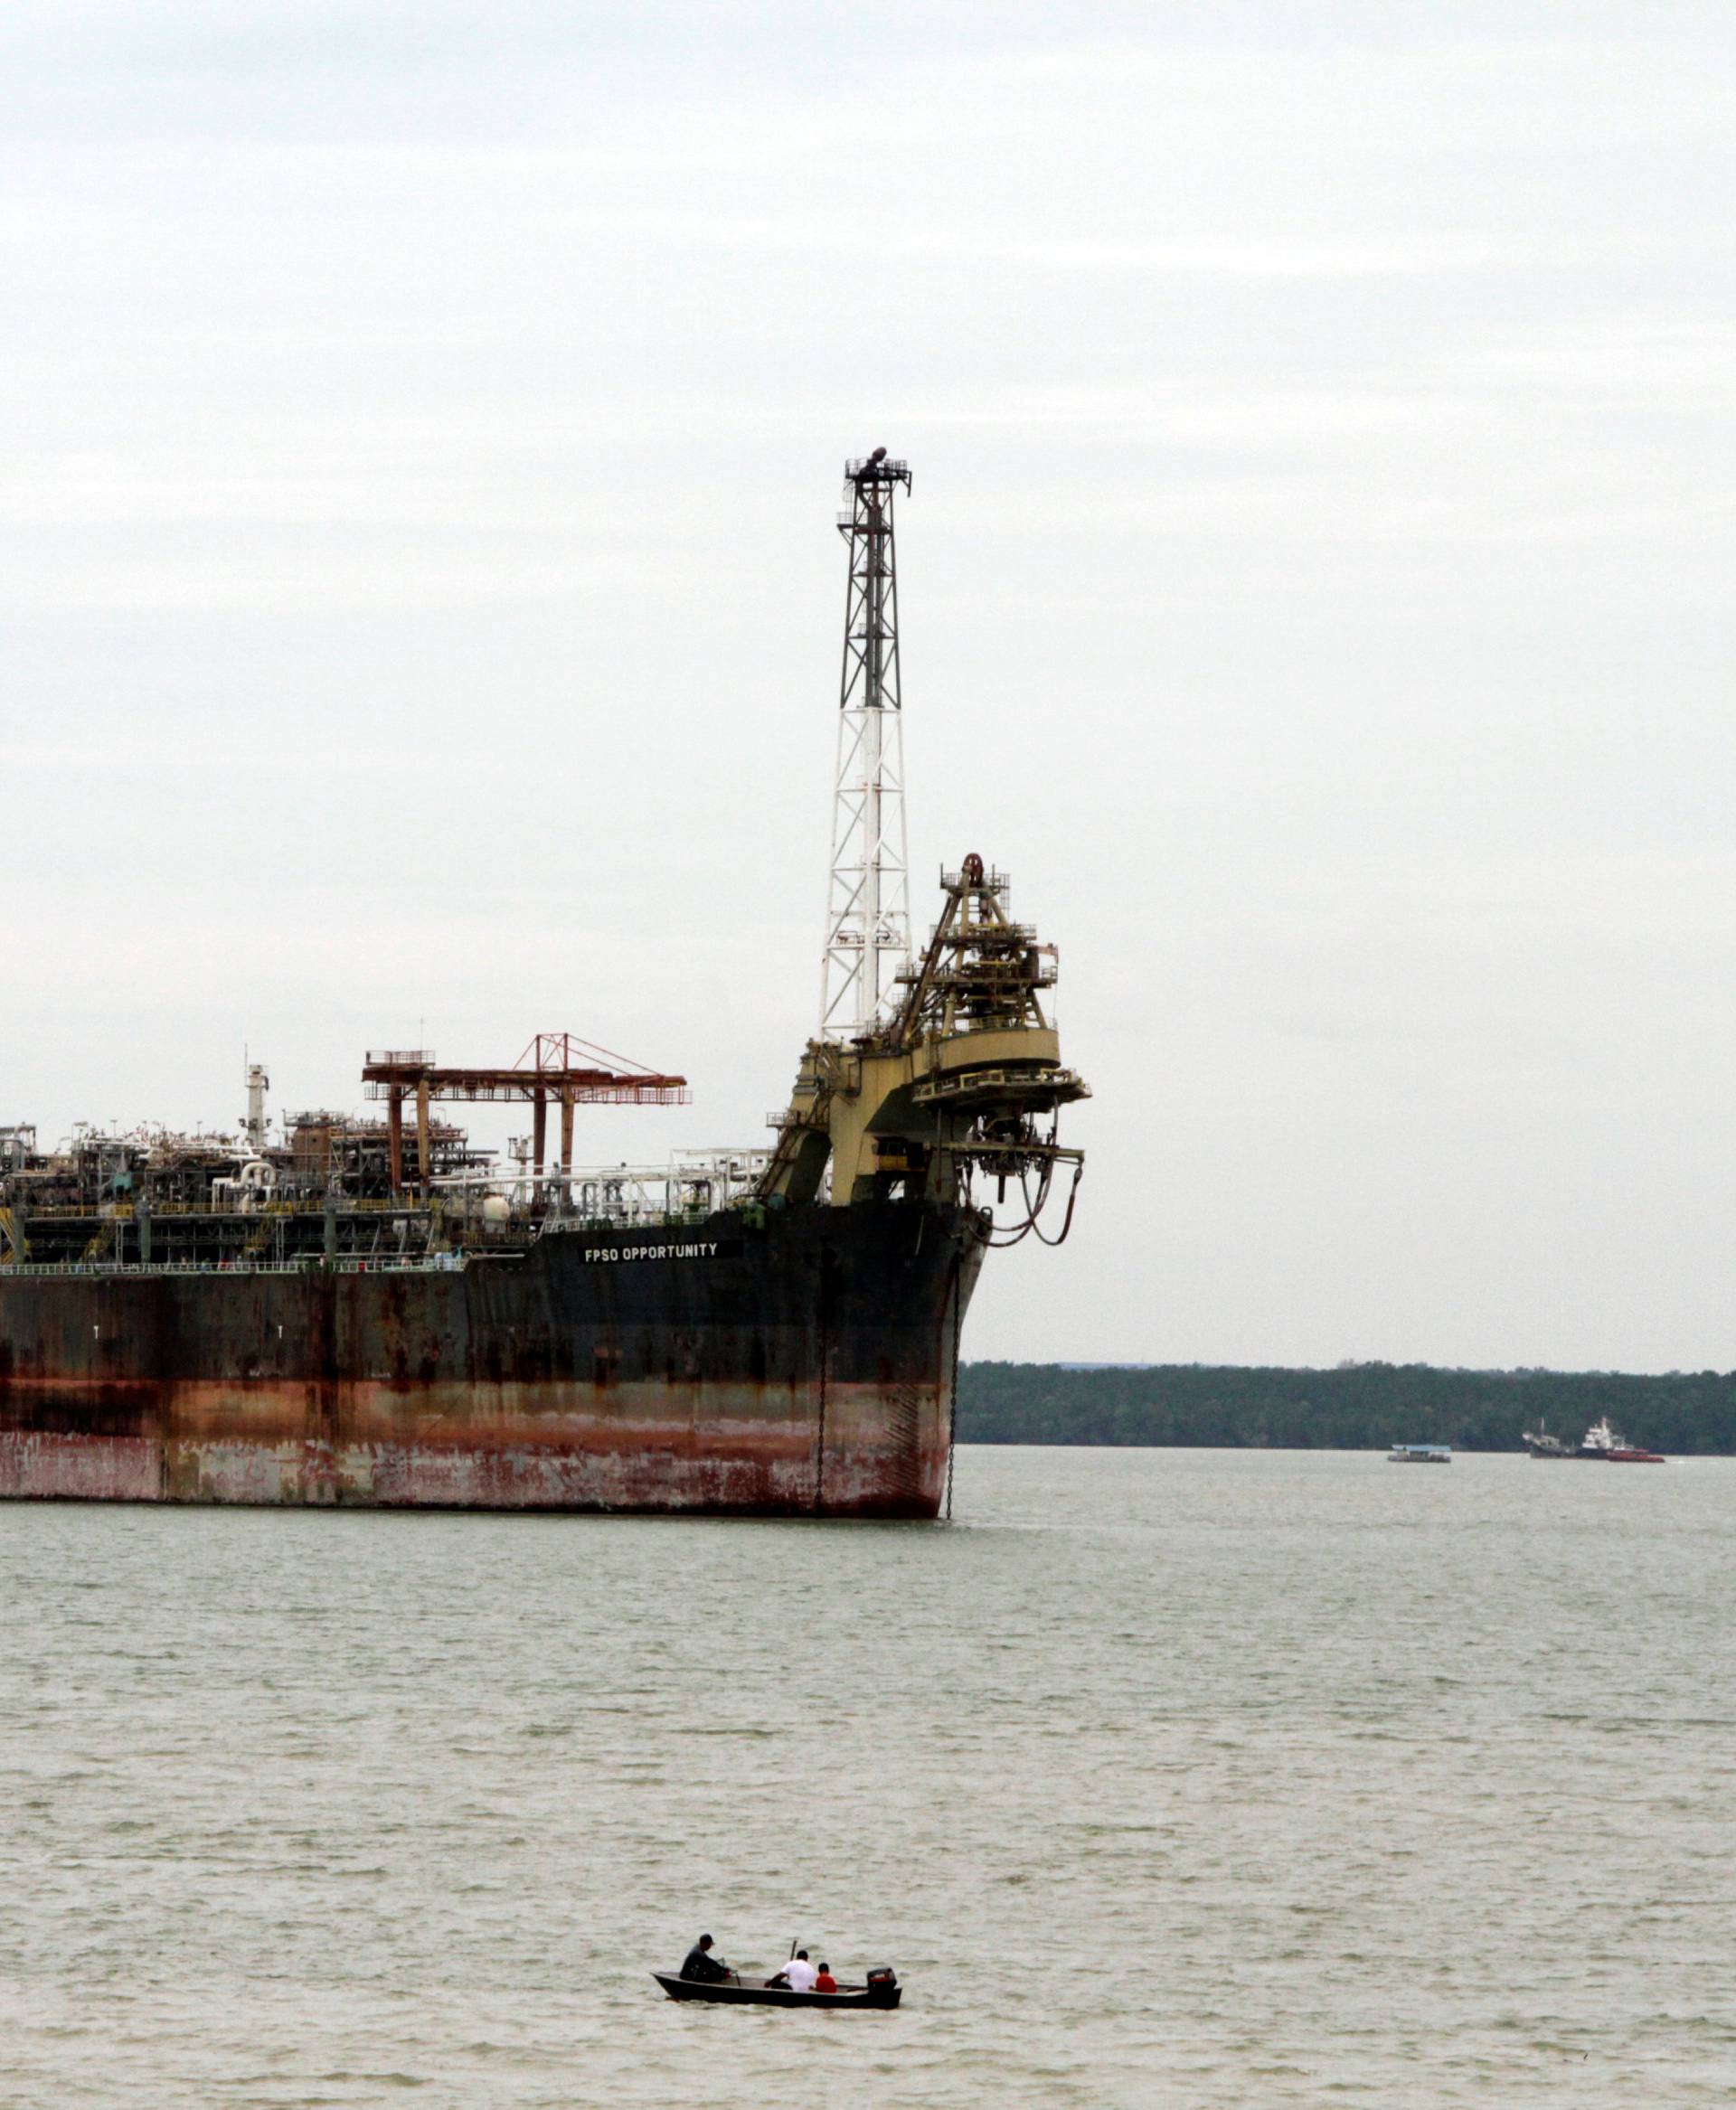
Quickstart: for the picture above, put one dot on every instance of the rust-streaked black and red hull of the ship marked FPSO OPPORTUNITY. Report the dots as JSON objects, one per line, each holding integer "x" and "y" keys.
{"x": 794, "y": 1366}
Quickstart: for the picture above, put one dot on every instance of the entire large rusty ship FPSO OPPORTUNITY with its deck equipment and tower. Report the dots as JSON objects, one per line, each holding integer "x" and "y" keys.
{"x": 372, "y": 1313}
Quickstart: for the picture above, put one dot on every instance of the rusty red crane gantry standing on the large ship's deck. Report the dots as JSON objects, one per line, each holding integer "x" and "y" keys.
{"x": 554, "y": 1067}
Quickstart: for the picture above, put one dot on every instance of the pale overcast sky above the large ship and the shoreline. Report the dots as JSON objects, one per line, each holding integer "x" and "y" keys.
{"x": 421, "y": 596}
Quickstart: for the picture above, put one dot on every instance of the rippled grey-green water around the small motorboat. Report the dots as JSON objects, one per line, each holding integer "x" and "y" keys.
{"x": 1163, "y": 1778}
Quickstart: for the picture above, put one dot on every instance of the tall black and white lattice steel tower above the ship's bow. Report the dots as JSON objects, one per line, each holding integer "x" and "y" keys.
{"x": 868, "y": 908}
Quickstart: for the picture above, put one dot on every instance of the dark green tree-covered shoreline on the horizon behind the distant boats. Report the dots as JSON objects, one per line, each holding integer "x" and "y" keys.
{"x": 1357, "y": 1406}
